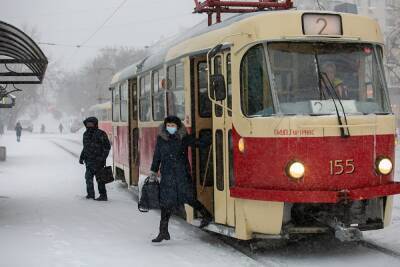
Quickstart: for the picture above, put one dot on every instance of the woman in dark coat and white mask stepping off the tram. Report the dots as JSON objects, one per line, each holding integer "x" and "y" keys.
{"x": 171, "y": 159}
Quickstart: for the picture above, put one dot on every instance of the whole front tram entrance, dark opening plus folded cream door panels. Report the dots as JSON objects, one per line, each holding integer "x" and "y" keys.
{"x": 212, "y": 164}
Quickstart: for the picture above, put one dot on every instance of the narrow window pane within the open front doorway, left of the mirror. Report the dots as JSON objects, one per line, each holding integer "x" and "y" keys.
{"x": 204, "y": 102}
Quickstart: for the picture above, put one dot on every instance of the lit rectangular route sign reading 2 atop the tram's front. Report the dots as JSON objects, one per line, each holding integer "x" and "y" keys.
{"x": 322, "y": 24}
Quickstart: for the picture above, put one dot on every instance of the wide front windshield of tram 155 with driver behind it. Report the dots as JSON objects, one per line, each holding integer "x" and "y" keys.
{"x": 312, "y": 78}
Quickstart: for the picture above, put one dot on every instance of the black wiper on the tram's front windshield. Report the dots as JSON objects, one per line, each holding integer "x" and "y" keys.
{"x": 326, "y": 83}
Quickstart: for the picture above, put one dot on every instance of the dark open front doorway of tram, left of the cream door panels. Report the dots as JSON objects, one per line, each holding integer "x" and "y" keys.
{"x": 202, "y": 125}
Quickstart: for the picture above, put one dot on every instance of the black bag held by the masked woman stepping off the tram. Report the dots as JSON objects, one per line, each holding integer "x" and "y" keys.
{"x": 150, "y": 196}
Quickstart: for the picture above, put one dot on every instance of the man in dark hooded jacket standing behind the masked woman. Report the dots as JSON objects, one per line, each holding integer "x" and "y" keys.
{"x": 96, "y": 147}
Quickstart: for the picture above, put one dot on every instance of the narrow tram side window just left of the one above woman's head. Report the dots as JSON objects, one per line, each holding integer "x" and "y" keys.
{"x": 158, "y": 96}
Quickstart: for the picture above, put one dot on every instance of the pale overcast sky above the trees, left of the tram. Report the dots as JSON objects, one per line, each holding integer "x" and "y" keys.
{"x": 70, "y": 22}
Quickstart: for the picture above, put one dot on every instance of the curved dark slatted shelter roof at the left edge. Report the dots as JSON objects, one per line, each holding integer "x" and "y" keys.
{"x": 22, "y": 59}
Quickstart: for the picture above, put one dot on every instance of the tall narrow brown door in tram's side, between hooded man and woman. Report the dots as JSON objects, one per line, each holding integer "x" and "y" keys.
{"x": 133, "y": 133}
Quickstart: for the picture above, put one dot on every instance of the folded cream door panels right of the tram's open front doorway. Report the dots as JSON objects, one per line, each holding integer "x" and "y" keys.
{"x": 222, "y": 144}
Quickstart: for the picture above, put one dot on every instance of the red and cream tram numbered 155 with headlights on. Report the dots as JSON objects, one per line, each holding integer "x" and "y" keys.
{"x": 298, "y": 107}
